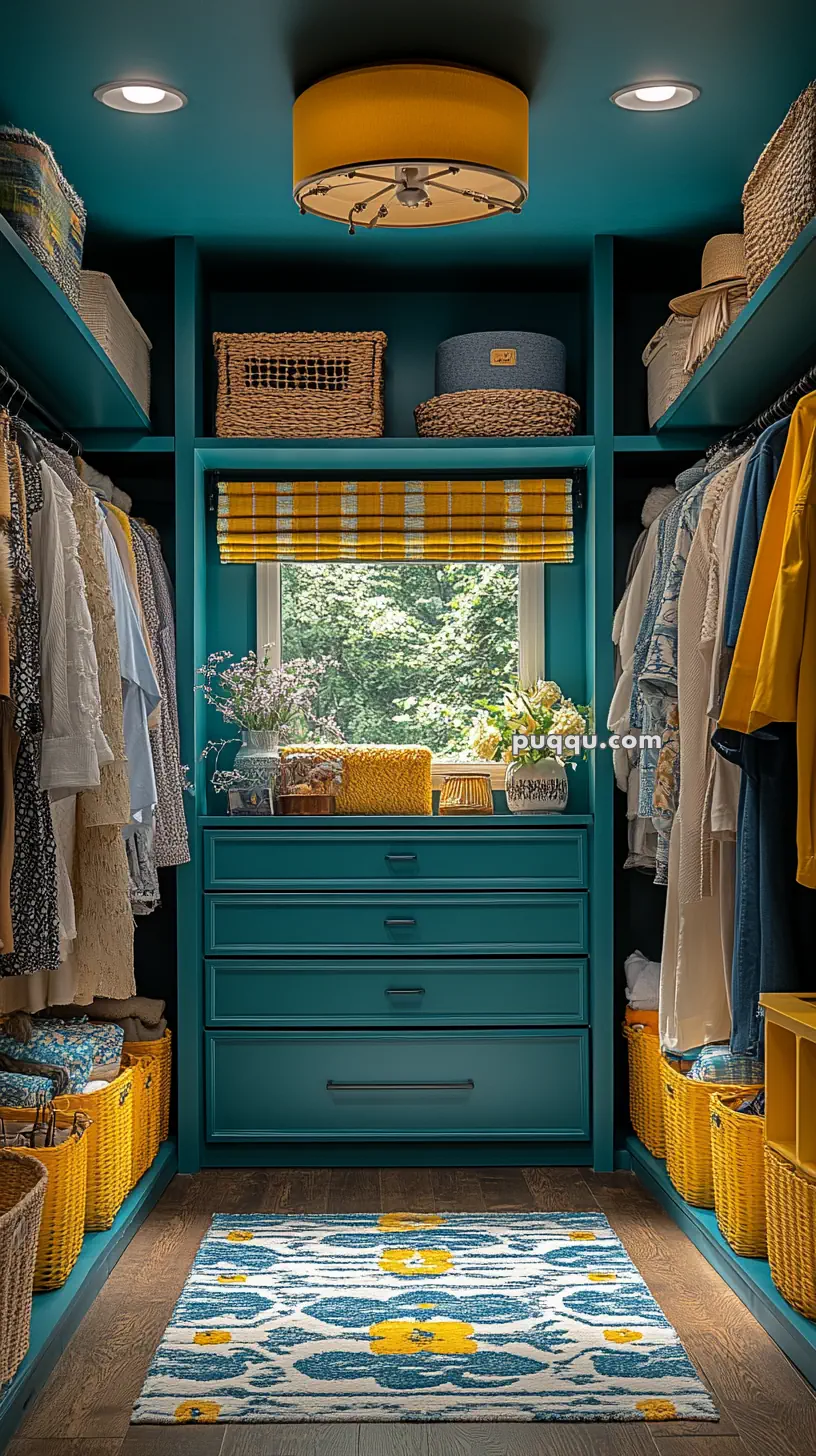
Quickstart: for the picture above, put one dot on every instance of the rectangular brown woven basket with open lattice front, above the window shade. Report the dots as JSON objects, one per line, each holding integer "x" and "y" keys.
{"x": 299, "y": 385}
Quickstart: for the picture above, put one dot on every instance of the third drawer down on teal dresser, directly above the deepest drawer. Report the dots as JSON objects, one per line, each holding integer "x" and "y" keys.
{"x": 397, "y": 994}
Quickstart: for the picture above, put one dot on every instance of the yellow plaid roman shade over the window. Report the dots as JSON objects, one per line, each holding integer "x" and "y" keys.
{"x": 396, "y": 521}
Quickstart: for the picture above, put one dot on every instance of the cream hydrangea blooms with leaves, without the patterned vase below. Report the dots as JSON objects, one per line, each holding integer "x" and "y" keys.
{"x": 537, "y": 714}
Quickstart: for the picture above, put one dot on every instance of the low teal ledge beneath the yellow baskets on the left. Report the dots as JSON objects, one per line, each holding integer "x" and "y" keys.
{"x": 56, "y": 1315}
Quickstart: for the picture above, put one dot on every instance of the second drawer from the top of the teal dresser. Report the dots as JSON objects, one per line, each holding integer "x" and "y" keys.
{"x": 397, "y": 925}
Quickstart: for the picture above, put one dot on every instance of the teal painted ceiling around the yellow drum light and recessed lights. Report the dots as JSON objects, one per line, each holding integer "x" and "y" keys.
{"x": 221, "y": 170}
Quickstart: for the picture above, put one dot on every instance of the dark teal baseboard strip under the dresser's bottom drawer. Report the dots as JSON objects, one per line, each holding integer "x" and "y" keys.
{"x": 399, "y": 1155}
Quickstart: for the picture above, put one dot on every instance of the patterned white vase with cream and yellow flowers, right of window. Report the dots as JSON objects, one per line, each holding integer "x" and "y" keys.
{"x": 535, "y": 732}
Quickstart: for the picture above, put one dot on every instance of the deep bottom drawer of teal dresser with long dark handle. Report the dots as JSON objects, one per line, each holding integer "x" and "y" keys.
{"x": 397, "y": 1085}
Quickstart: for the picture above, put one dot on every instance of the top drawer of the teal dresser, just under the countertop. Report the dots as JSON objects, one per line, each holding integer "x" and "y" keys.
{"x": 381, "y": 860}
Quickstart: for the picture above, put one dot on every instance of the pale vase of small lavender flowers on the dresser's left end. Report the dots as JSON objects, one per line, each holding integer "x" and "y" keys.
{"x": 272, "y": 705}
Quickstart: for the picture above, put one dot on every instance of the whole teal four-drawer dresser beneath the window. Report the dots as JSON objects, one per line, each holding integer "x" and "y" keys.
{"x": 397, "y": 982}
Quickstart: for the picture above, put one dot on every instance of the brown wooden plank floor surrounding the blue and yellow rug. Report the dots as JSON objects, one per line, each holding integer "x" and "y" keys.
{"x": 767, "y": 1409}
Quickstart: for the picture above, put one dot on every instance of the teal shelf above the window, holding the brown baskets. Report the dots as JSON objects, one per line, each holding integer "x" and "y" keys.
{"x": 396, "y": 455}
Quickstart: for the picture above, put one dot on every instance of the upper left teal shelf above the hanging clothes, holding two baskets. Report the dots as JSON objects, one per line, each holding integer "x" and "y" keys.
{"x": 53, "y": 355}
